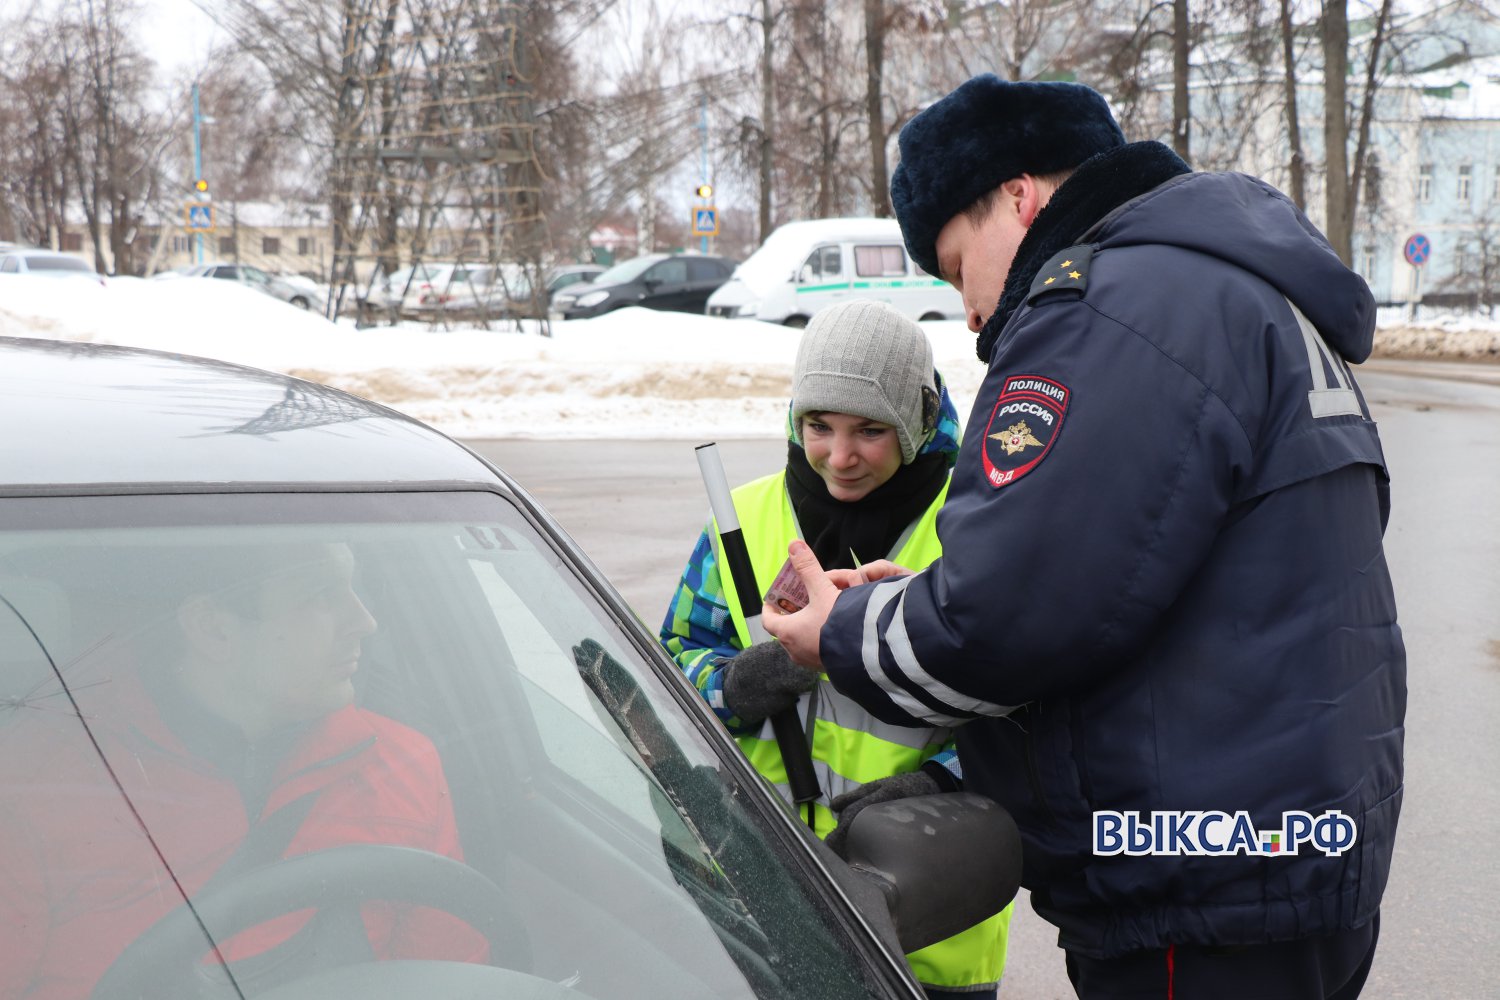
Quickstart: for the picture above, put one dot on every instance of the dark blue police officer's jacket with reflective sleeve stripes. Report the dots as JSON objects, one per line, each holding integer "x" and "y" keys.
{"x": 1163, "y": 542}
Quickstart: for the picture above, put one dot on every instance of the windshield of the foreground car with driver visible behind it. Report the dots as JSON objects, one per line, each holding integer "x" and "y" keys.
{"x": 355, "y": 728}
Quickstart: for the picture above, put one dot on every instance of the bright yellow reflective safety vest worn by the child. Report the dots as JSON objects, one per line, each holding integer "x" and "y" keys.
{"x": 850, "y": 746}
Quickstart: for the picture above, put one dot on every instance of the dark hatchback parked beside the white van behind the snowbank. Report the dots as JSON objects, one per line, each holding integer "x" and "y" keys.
{"x": 674, "y": 283}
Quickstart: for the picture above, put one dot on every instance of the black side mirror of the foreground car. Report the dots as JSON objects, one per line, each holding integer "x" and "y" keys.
{"x": 943, "y": 863}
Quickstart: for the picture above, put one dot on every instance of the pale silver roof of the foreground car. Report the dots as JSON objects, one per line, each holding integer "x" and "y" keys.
{"x": 113, "y": 419}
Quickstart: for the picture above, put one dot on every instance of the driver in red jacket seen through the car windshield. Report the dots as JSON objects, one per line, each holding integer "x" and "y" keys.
{"x": 233, "y": 741}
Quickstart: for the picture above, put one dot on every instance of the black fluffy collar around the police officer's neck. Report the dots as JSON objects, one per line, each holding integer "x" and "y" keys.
{"x": 1102, "y": 185}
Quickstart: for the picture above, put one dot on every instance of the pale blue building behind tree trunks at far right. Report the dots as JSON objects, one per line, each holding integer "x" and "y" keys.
{"x": 1433, "y": 169}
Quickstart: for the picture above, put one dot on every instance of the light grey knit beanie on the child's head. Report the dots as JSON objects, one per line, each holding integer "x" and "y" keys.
{"x": 869, "y": 361}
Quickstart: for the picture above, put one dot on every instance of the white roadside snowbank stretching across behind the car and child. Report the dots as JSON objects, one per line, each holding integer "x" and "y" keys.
{"x": 634, "y": 374}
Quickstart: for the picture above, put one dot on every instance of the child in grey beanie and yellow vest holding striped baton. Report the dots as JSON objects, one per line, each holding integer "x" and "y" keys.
{"x": 871, "y": 440}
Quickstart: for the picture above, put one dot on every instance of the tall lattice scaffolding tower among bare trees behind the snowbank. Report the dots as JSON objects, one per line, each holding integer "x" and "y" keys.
{"x": 434, "y": 154}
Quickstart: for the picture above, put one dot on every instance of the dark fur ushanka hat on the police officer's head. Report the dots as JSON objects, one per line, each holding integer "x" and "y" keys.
{"x": 983, "y": 134}
